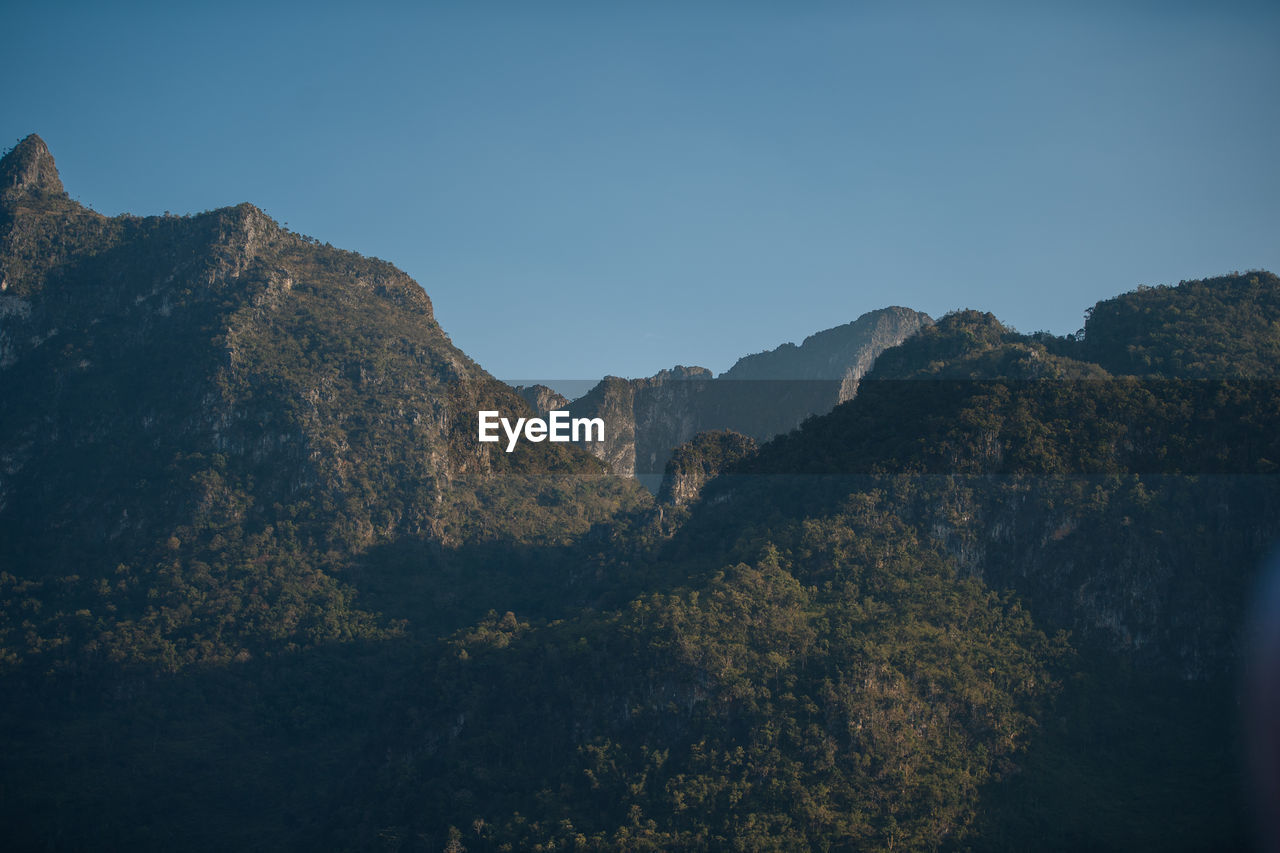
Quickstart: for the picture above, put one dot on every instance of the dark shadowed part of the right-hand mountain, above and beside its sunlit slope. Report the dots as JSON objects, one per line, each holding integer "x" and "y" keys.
{"x": 1132, "y": 512}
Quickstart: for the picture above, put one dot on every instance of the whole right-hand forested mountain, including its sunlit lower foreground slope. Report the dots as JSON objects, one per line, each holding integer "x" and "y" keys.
{"x": 996, "y": 601}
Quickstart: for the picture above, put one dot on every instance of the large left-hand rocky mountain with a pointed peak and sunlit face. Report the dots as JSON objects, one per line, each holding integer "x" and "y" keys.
{"x": 209, "y": 404}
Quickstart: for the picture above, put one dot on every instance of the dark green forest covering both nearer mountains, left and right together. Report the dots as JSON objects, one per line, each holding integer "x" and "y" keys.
{"x": 262, "y": 589}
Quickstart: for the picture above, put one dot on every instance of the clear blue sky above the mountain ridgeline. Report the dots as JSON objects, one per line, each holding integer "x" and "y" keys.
{"x": 607, "y": 188}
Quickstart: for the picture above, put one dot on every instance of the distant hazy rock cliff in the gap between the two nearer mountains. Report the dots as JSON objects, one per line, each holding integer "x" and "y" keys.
{"x": 761, "y": 396}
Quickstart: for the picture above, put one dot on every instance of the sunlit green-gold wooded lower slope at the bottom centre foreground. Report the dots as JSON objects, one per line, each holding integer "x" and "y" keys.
{"x": 844, "y": 690}
